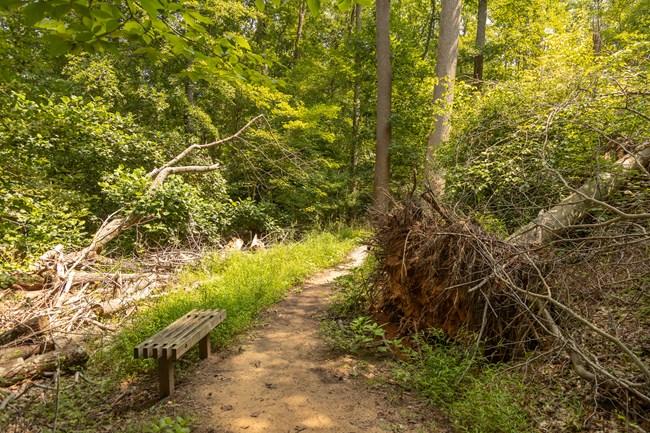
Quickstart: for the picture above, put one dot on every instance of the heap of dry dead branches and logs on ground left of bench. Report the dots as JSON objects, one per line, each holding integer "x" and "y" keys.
{"x": 44, "y": 323}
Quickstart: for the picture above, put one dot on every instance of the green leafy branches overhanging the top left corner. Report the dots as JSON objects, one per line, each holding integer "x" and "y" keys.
{"x": 183, "y": 27}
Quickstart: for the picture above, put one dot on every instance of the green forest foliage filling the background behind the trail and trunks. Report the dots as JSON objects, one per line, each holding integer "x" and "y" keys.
{"x": 94, "y": 95}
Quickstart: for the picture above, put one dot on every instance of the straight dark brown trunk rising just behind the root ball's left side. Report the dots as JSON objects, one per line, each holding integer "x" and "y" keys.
{"x": 384, "y": 91}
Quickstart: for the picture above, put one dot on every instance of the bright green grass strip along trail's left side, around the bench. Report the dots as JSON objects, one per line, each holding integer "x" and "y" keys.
{"x": 241, "y": 283}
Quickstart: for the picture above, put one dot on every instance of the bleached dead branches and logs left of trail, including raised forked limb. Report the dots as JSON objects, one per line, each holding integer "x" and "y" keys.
{"x": 42, "y": 316}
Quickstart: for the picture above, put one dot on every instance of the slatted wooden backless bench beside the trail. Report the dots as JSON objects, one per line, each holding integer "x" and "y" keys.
{"x": 172, "y": 342}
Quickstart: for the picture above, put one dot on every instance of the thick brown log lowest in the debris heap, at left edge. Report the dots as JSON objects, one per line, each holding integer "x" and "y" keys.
{"x": 69, "y": 354}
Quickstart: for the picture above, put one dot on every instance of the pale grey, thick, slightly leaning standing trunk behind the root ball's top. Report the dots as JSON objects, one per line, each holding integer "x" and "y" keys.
{"x": 443, "y": 92}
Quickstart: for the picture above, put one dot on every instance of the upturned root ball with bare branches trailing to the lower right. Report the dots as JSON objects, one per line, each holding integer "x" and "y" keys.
{"x": 438, "y": 270}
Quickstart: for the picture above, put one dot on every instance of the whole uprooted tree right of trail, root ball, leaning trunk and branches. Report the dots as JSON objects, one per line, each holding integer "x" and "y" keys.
{"x": 436, "y": 269}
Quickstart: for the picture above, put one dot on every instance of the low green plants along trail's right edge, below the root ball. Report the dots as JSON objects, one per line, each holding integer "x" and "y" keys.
{"x": 477, "y": 396}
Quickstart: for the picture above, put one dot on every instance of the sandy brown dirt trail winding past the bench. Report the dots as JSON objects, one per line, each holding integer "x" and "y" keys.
{"x": 284, "y": 379}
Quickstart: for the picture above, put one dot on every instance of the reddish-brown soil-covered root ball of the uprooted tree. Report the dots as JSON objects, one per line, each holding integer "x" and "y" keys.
{"x": 440, "y": 271}
